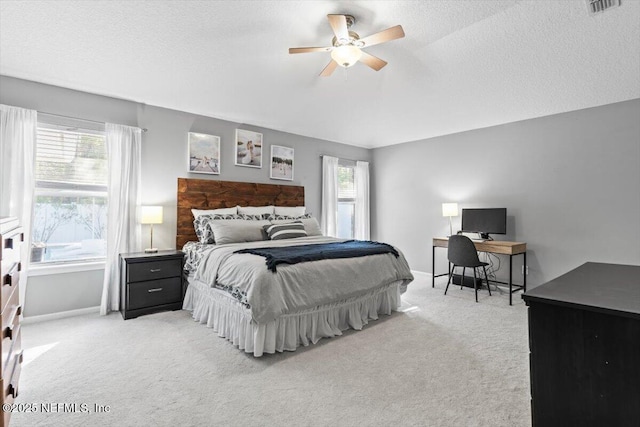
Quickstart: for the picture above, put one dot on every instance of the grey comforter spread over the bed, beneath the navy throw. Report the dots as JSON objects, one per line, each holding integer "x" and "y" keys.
{"x": 299, "y": 287}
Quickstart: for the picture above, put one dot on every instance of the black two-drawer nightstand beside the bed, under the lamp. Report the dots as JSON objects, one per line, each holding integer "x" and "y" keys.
{"x": 150, "y": 282}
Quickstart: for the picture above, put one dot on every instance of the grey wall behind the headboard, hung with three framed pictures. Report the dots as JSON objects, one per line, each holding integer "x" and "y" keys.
{"x": 164, "y": 159}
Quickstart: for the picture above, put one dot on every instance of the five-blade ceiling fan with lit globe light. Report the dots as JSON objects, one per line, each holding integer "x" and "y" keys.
{"x": 346, "y": 47}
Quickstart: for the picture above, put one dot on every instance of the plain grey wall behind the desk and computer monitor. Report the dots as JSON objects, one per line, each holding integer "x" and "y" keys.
{"x": 570, "y": 183}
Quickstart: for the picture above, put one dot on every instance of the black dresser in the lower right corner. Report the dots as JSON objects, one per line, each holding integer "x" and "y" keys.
{"x": 584, "y": 341}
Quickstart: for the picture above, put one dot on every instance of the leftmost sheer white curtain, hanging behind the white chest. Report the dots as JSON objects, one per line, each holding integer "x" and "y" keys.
{"x": 18, "y": 128}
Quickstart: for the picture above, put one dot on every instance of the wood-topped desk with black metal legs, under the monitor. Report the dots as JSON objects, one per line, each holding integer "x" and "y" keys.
{"x": 500, "y": 247}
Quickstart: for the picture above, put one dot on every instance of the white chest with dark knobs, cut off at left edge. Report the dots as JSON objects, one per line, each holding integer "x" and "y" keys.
{"x": 11, "y": 240}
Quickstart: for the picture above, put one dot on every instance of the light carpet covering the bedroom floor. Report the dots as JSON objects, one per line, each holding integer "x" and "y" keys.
{"x": 443, "y": 361}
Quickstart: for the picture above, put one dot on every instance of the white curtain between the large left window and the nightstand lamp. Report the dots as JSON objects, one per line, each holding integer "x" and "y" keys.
{"x": 123, "y": 228}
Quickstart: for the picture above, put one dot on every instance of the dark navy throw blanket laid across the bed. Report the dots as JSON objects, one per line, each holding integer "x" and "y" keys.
{"x": 302, "y": 253}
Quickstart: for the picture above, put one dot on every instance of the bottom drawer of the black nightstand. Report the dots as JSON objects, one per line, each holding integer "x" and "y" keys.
{"x": 155, "y": 292}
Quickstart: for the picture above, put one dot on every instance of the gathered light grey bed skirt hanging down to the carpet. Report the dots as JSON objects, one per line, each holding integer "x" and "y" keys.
{"x": 232, "y": 321}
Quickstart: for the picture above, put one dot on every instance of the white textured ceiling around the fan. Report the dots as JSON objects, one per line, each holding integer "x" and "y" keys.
{"x": 463, "y": 64}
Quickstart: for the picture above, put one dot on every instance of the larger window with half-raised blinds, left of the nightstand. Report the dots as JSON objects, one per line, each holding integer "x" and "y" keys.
{"x": 70, "y": 206}
